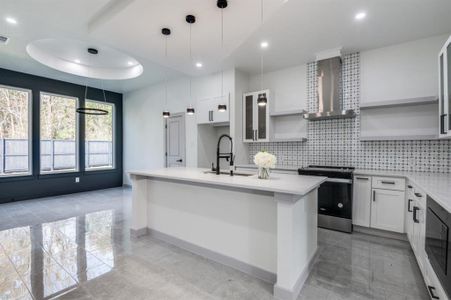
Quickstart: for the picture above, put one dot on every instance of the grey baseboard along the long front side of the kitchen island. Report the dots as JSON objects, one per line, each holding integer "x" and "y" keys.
{"x": 214, "y": 256}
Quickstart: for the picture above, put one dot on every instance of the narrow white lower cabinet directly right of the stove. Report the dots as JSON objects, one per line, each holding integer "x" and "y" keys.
{"x": 361, "y": 201}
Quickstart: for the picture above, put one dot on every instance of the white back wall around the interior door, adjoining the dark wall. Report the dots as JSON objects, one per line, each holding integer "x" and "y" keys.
{"x": 144, "y": 126}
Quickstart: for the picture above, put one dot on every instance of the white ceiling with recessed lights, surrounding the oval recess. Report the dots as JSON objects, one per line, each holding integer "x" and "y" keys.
{"x": 295, "y": 29}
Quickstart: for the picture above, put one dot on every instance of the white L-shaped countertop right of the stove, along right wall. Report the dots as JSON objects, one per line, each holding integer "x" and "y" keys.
{"x": 436, "y": 185}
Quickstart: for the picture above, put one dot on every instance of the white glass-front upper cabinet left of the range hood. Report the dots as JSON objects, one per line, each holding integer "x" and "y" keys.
{"x": 255, "y": 118}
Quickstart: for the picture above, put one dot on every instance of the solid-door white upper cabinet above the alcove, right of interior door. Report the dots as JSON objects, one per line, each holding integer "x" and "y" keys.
{"x": 208, "y": 112}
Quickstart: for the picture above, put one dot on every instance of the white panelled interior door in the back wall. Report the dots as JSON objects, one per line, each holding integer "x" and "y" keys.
{"x": 175, "y": 141}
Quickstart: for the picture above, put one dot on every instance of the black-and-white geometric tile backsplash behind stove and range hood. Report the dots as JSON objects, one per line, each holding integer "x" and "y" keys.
{"x": 337, "y": 143}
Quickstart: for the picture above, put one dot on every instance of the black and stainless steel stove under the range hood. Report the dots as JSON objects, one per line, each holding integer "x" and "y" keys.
{"x": 334, "y": 196}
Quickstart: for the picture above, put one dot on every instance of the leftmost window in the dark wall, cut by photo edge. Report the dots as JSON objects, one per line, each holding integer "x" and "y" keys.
{"x": 15, "y": 132}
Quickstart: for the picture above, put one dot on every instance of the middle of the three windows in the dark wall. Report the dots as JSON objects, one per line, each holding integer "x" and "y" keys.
{"x": 59, "y": 132}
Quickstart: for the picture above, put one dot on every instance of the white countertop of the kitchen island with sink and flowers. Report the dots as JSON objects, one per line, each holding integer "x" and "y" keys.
{"x": 277, "y": 183}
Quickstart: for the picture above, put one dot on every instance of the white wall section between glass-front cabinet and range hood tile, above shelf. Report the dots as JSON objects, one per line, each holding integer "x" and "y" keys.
{"x": 288, "y": 87}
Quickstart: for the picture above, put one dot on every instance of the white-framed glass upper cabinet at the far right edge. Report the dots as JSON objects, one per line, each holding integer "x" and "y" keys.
{"x": 444, "y": 71}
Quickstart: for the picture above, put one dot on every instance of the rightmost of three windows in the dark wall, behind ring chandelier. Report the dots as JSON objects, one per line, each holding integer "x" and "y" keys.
{"x": 99, "y": 147}
